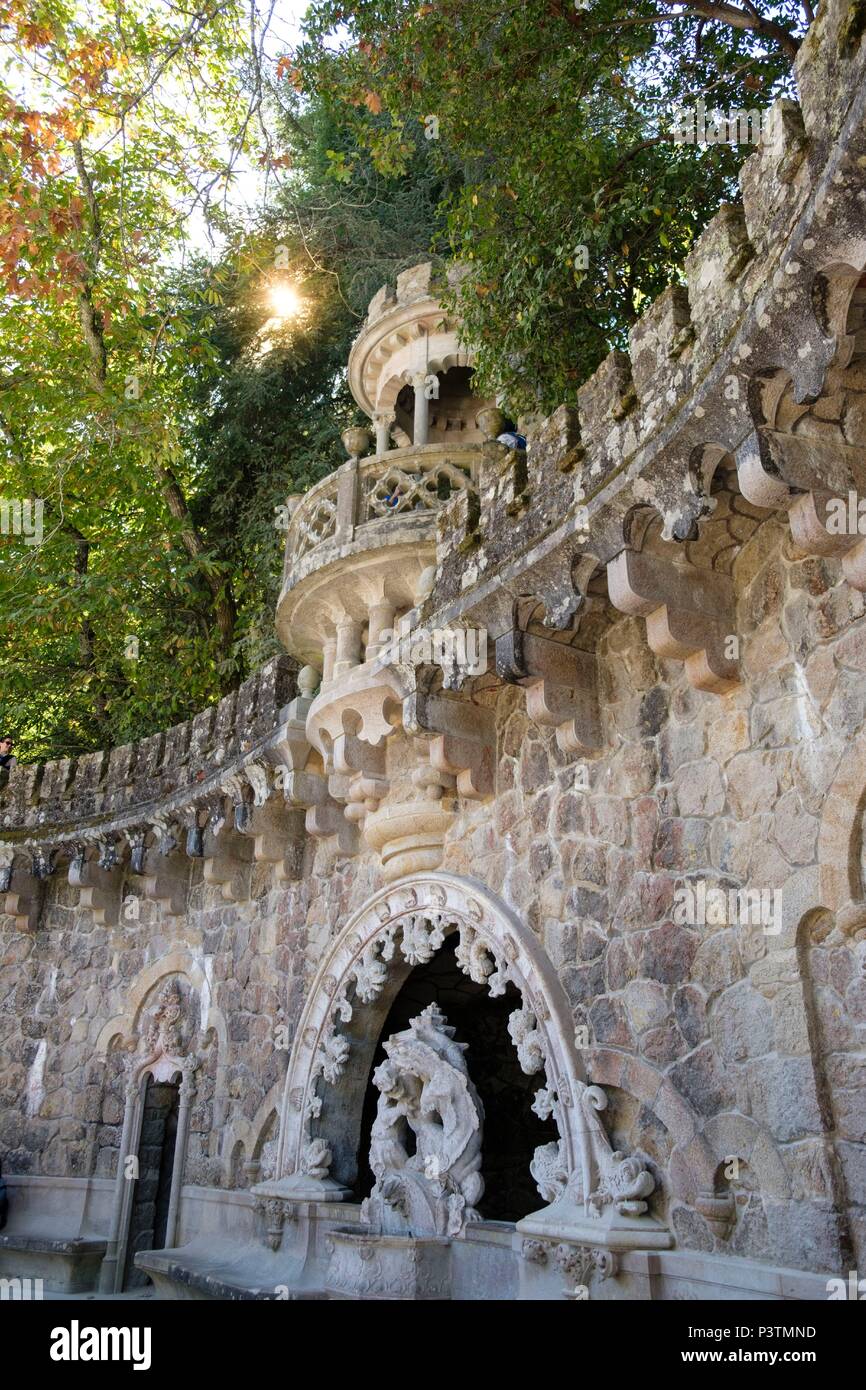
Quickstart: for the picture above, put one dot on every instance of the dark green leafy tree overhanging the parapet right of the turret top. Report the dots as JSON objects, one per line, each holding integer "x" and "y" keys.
{"x": 569, "y": 202}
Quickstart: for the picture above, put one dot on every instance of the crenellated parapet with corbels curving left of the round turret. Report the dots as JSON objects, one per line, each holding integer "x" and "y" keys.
{"x": 237, "y": 786}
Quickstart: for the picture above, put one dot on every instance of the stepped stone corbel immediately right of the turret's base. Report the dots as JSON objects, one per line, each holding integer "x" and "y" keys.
{"x": 464, "y": 742}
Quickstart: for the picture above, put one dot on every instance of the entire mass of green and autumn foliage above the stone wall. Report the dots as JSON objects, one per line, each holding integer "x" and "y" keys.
{"x": 159, "y": 407}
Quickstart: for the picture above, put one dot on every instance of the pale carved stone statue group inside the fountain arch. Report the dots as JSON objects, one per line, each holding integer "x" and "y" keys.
{"x": 432, "y": 1186}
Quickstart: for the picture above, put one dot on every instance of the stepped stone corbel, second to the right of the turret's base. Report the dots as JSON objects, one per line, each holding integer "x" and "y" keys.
{"x": 562, "y": 687}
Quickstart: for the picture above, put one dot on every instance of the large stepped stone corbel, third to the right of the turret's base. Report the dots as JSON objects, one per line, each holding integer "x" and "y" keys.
{"x": 690, "y": 614}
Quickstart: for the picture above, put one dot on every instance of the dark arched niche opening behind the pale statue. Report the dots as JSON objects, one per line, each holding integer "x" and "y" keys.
{"x": 512, "y": 1131}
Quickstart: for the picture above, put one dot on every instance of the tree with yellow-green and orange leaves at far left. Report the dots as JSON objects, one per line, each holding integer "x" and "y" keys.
{"x": 117, "y": 124}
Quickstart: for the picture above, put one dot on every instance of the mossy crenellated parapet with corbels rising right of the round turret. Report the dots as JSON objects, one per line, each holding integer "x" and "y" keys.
{"x": 742, "y": 394}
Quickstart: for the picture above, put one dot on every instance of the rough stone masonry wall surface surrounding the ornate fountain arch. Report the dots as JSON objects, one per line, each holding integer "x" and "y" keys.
{"x": 751, "y": 1042}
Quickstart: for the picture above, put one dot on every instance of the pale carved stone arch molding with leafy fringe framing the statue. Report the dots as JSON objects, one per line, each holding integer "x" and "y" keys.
{"x": 593, "y": 1193}
